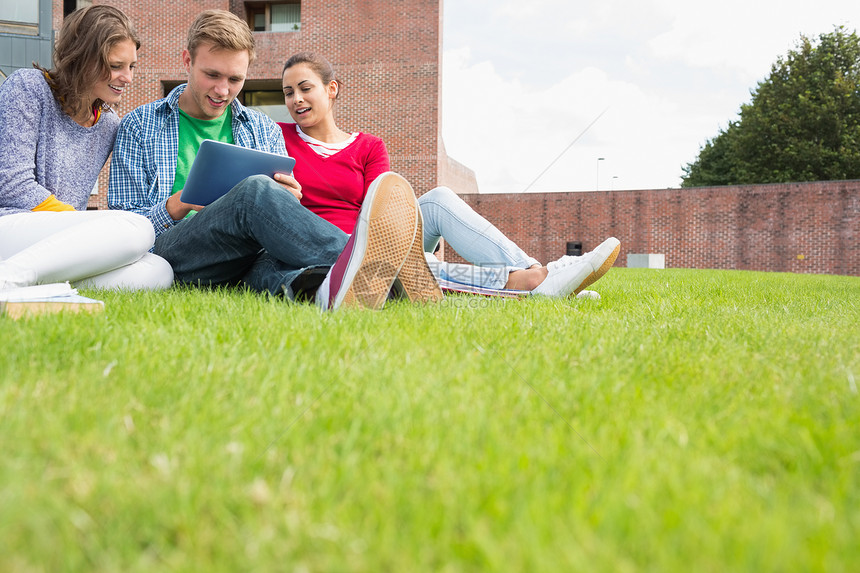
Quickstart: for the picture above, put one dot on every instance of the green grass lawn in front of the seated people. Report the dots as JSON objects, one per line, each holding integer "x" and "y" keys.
{"x": 688, "y": 421}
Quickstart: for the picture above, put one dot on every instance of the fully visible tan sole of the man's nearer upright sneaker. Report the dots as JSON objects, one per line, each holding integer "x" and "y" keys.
{"x": 391, "y": 224}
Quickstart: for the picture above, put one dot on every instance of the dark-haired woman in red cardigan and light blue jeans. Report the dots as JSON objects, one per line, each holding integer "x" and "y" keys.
{"x": 335, "y": 169}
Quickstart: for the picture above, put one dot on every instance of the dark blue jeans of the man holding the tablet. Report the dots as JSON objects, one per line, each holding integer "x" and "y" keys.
{"x": 257, "y": 234}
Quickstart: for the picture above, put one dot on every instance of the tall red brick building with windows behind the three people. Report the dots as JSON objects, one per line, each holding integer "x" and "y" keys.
{"x": 388, "y": 55}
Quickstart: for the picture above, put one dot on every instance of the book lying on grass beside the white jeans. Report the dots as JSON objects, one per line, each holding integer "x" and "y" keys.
{"x": 45, "y": 299}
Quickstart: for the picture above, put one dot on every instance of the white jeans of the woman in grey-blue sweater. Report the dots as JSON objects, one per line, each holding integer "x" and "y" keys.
{"x": 93, "y": 249}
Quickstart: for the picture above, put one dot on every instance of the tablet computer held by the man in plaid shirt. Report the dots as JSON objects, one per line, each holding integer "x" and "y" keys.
{"x": 219, "y": 166}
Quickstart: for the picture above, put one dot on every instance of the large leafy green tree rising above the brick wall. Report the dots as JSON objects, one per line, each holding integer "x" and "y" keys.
{"x": 802, "y": 124}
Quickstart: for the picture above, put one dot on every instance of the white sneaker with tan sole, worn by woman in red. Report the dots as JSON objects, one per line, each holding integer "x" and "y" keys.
{"x": 571, "y": 274}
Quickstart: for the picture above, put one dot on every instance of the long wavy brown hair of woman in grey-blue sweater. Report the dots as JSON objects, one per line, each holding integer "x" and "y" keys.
{"x": 81, "y": 54}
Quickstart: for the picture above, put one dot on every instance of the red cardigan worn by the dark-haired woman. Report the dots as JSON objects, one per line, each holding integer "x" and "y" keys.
{"x": 334, "y": 187}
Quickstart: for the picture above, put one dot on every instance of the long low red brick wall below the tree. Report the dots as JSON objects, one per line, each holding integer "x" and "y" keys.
{"x": 794, "y": 227}
